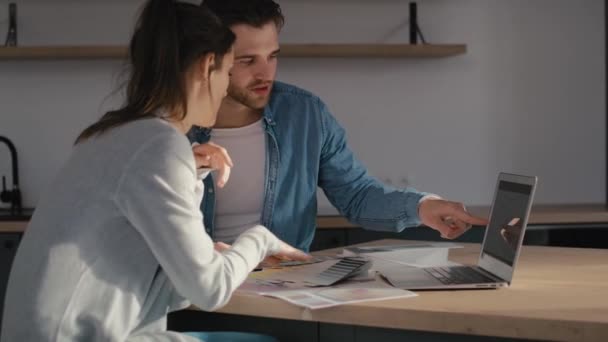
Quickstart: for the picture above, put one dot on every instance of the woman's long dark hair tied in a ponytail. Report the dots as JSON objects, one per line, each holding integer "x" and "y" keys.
{"x": 169, "y": 37}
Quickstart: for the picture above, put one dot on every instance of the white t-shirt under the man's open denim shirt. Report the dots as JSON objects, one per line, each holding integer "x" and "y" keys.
{"x": 239, "y": 203}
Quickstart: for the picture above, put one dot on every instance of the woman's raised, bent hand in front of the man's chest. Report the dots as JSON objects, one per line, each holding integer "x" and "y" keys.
{"x": 210, "y": 155}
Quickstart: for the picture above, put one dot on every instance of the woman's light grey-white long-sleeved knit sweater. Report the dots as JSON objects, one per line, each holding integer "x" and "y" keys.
{"x": 118, "y": 241}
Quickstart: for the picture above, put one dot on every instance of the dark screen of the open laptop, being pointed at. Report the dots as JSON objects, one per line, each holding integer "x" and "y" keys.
{"x": 508, "y": 214}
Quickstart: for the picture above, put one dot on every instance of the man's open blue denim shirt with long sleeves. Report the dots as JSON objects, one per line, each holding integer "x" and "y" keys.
{"x": 306, "y": 149}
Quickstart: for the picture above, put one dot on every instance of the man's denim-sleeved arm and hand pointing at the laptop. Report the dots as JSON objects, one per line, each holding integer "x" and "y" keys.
{"x": 367, "y": 202}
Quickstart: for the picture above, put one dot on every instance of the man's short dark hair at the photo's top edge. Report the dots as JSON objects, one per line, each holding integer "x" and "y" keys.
{"x": 255, "y": 13}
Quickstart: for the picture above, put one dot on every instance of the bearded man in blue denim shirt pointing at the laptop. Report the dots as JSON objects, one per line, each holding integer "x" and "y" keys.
{"x": 284, "y": 143}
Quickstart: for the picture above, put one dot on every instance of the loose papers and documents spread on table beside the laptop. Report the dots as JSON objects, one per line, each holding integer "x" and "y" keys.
{"x": 307, "y": 284}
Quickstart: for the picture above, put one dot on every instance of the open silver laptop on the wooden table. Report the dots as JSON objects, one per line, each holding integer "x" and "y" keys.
{"x": 500, "y": 249}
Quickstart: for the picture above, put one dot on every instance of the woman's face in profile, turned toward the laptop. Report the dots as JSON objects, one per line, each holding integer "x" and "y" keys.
{"x": 218, "y": 85}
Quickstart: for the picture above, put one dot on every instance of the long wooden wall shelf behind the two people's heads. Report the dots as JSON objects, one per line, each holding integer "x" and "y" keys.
{"x": 287, "y": 50}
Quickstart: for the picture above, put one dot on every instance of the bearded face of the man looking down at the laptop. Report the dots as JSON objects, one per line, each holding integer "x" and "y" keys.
{"x": 255, "y": 64}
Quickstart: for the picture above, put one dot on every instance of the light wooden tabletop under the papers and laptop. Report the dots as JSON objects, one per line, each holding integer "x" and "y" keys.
{"x": 557, "y": 294}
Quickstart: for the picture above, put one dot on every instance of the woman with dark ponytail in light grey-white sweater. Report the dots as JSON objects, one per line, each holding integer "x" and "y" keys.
{"x": 117, "y": 242}
